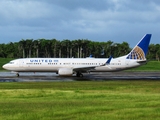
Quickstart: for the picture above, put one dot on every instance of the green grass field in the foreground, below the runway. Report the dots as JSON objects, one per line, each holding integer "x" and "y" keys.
{"x": 89, "y": 100}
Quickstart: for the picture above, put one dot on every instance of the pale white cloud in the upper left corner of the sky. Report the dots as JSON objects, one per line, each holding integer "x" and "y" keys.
{"x": 23, "y": 9}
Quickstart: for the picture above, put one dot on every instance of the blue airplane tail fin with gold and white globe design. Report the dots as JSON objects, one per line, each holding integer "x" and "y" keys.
{"x": 140, "y": 50}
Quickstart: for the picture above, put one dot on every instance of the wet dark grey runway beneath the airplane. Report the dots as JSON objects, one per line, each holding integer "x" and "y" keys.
{"x": 40, "y": 77}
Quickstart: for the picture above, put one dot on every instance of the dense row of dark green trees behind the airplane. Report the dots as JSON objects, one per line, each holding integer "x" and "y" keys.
{"x": 80, "y": 48}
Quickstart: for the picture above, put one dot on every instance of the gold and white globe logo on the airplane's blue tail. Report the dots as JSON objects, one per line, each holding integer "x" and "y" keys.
{"x": 136, "y": 53}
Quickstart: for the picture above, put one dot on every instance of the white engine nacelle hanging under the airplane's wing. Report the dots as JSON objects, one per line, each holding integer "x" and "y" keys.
{"x": 65, "y": 72}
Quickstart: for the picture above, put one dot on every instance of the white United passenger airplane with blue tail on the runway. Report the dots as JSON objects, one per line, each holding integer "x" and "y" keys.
{"x": 70, "y": 66}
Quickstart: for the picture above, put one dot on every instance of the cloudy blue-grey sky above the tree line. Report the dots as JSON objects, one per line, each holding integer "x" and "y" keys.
{"x": 96, "y": 20}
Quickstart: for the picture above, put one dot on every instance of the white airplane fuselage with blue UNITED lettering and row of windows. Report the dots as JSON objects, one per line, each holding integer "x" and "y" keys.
{"x": 84, "y": 64}
